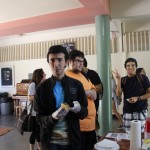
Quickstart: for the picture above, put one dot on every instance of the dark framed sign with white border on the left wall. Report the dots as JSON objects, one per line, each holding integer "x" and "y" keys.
{"x": 7, "y": 76}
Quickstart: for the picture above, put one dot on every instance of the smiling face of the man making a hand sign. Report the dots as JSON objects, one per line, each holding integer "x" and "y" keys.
{"x": 131, "y": 68}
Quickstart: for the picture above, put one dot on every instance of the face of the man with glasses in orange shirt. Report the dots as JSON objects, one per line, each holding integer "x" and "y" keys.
{"x": 77, "y": 64}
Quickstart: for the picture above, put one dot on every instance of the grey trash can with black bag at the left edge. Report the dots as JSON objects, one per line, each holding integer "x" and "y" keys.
{"x": 6, "y": 105}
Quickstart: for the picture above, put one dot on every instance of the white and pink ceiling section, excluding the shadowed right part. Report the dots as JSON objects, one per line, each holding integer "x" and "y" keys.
{"x": 36, "y": 15}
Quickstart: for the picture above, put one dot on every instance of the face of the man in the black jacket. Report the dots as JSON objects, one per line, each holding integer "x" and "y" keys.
{"x": 57, "y": 64}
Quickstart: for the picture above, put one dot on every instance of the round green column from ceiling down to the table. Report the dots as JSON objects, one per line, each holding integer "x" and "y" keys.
{"x": 104, "y": 70}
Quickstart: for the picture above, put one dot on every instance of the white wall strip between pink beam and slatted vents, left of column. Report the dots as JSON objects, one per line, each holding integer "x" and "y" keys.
{"x": 62, "y": 33}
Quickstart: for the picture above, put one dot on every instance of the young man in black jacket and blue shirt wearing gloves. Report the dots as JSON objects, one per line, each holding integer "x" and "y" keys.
{"x": 60, "y": 128}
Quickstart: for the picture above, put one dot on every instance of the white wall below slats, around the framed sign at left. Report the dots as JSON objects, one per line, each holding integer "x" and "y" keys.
{"x": 21, "y": 70}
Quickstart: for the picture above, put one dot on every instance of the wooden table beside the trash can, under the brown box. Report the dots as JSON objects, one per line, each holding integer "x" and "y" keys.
{"x": 18, "y": 107}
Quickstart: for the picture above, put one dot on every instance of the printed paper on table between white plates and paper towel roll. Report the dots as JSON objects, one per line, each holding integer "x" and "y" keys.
{"x": 118, "y": 136}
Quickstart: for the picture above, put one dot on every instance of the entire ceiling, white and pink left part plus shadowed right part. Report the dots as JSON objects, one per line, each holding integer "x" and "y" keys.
{"x": 18, "y": 17}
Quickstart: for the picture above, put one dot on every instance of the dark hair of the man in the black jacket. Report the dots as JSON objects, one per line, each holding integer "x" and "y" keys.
{"x": 57, "y": 49}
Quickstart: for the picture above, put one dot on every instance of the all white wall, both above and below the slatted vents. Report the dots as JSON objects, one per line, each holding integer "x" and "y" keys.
{"x": 22, "y": 68}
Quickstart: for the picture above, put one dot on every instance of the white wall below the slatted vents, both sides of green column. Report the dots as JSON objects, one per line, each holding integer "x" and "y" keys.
{"x": 22, "y": 68}
